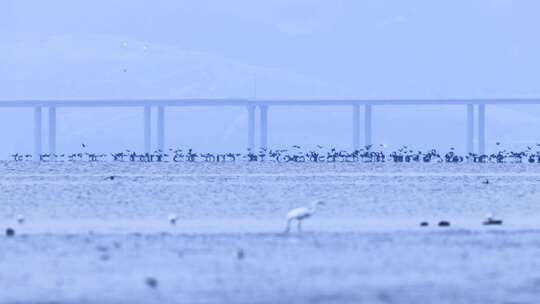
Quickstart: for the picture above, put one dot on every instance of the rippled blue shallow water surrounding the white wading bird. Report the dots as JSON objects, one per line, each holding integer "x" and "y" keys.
{"x": 87, "y": 239}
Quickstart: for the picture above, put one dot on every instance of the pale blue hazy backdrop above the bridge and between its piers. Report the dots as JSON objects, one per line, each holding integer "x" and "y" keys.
{"x": 296, "y": 49}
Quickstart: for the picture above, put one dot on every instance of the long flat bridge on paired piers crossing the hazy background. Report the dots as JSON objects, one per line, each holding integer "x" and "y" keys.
{"x": 472, "y": 108}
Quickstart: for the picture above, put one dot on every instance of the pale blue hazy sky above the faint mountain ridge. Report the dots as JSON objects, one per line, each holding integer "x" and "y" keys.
{"x": 364, "y": 48}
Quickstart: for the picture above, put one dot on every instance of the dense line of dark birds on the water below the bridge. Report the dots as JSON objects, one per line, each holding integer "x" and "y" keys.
{"x": 296, "y": 154}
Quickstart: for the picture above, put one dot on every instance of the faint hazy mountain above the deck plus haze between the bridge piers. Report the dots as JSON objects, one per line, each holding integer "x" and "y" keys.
{"x": 110, "y": 67}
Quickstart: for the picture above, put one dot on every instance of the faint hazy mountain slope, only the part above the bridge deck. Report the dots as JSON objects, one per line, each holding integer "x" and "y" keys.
{"x": 112, "y": 67}
